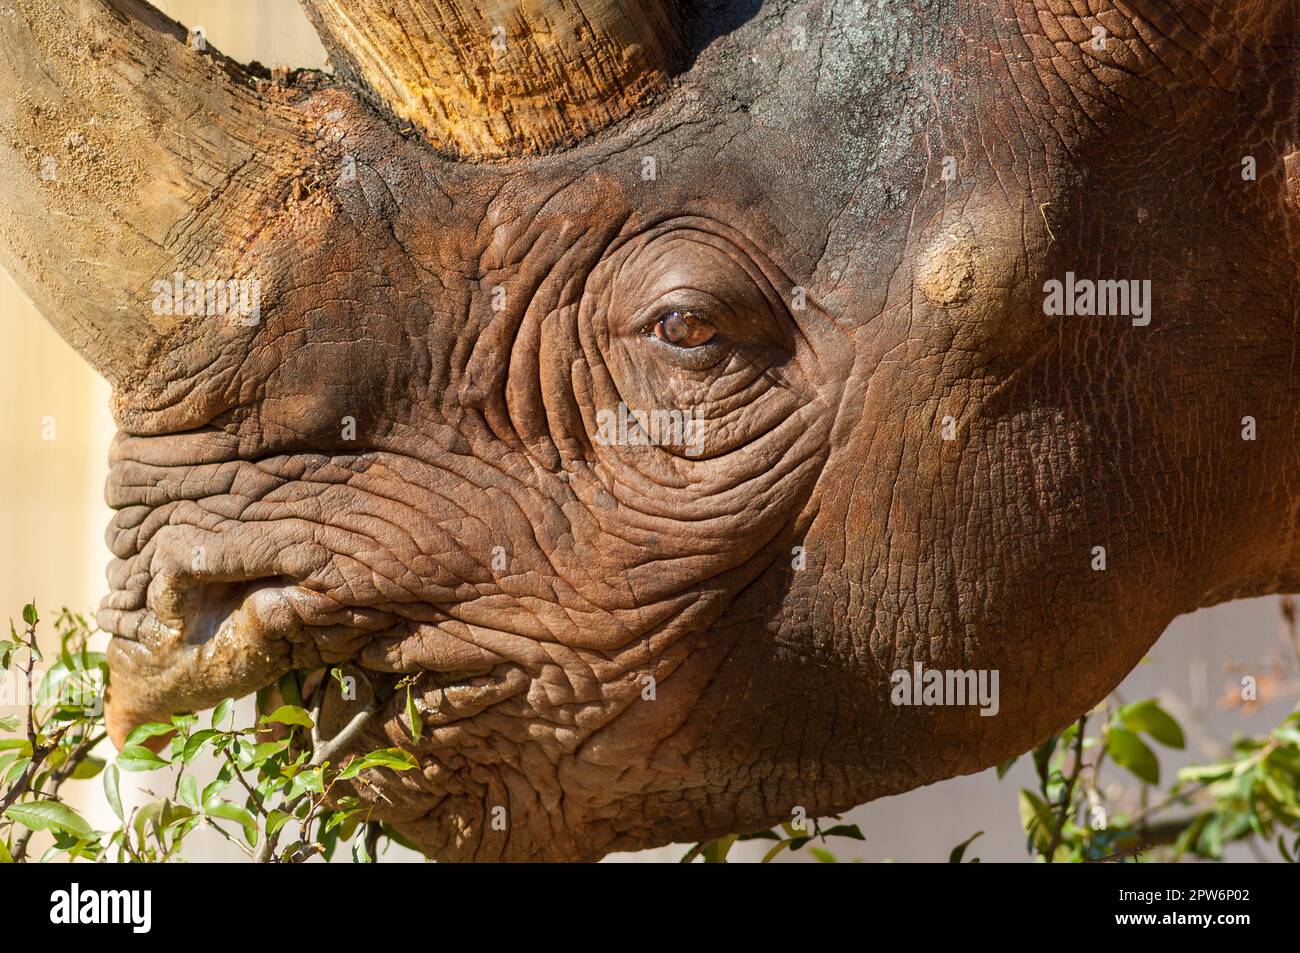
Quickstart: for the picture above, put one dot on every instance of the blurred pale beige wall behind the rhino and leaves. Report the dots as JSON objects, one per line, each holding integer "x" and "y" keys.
{"x": 54, "y": 518}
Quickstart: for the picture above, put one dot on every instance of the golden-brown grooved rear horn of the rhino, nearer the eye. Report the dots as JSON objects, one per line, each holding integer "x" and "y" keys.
{"x": 493, "y": 80}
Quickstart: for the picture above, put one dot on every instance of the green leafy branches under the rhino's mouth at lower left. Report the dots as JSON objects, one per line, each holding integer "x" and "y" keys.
{"x": 276, "y": 781}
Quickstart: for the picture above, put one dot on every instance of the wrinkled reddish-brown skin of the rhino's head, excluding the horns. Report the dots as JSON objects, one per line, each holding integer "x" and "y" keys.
{"x": 820, "y": 171}
